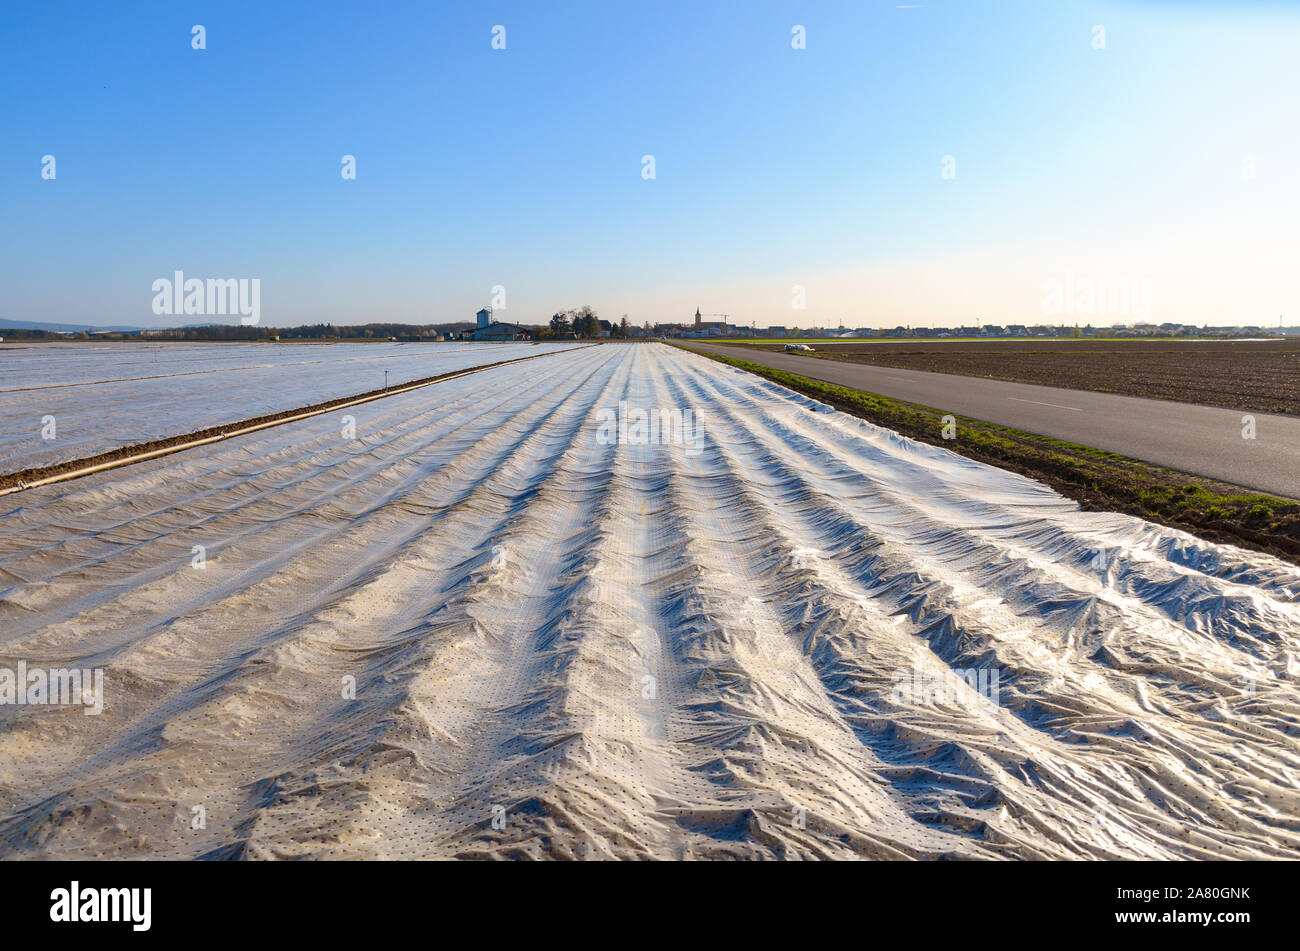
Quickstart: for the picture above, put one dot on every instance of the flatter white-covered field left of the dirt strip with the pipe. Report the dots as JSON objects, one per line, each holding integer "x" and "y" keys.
{"x": 102, "y": 397}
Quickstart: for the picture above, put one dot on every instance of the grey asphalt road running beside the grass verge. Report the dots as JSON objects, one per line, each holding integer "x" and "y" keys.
{"x": 1203, "y": 441}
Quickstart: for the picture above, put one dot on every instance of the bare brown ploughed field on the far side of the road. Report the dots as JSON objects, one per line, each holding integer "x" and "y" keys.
{"x": 1262, "y": 376}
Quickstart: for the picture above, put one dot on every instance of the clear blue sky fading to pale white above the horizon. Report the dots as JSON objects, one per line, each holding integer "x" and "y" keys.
{"x": 1167, "y": 160}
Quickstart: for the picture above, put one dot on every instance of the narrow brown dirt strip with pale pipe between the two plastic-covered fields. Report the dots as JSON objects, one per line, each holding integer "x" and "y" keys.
{"x": 140, "y": 453}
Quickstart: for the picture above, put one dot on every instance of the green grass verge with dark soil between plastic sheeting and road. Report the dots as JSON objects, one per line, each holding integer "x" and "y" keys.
{"x": 1099, "y": 481}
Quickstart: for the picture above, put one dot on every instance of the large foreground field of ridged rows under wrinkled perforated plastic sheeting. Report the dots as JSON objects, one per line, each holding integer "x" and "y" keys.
{"x": 627, "y": 602}
